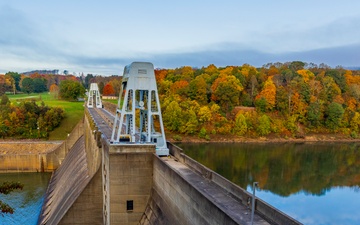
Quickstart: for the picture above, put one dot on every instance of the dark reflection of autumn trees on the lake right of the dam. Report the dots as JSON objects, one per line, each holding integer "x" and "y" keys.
{"x": 283, "y": 168}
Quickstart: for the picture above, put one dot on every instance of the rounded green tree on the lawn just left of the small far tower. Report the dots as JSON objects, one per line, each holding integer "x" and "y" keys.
{"x": 71, "y": 90}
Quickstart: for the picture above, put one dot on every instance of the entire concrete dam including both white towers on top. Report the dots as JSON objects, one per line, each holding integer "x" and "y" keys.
{"x": 120, "y": 170}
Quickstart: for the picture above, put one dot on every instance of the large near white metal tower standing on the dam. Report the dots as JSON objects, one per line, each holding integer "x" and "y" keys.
{"x": 138, "y": 116}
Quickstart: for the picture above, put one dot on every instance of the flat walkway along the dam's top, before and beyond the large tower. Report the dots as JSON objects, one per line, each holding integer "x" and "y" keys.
{"x": 231, "y": 206}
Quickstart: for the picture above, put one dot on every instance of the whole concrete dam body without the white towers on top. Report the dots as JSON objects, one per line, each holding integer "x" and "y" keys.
{"x": 104, "y": 183}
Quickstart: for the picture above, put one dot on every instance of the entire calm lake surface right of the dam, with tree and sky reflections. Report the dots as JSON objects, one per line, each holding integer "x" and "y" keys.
{"x": 314, "y": 183}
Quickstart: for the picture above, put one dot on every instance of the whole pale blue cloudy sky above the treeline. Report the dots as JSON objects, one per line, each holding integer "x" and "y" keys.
{"x": 101, "y": 37}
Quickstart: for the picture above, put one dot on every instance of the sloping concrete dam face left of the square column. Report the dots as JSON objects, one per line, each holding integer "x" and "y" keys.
{"x": 74, "y": 195}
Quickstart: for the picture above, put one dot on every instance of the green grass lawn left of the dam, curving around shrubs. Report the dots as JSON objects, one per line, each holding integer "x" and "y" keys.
{"x": 74, "y": 112}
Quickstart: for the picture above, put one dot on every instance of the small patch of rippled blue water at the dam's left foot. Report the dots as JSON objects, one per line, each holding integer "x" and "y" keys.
{"x": 27, "y": 202}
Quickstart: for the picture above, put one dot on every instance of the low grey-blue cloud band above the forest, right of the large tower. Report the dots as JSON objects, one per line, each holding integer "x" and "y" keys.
{"x": 345, "y": 55}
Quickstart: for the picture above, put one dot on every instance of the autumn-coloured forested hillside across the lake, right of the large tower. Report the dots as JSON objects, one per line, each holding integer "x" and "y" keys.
{"x": 281, "y": 99}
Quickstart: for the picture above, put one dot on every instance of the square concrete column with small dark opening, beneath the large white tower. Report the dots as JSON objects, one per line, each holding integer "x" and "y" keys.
{"x": 130, "y": 182}
